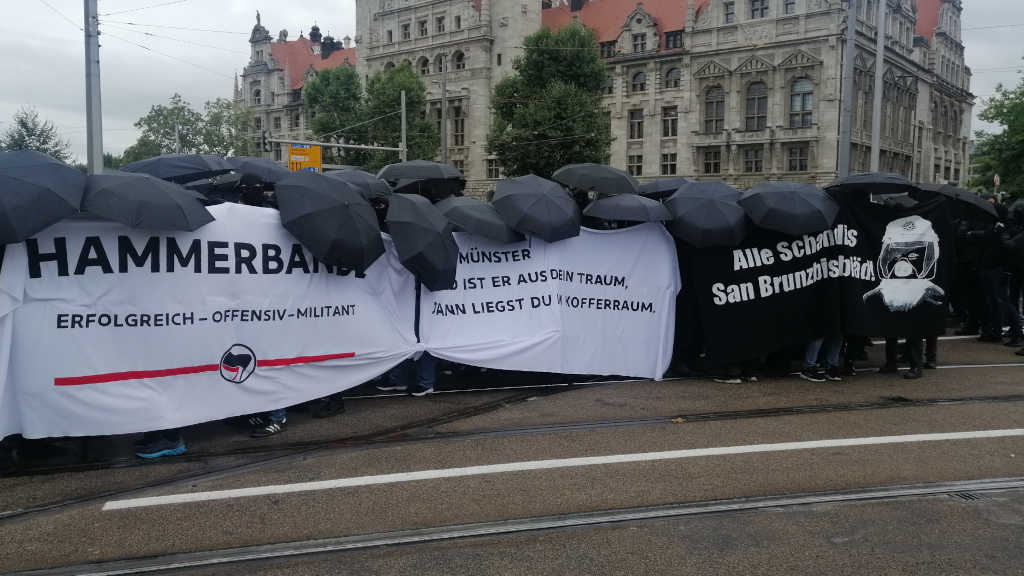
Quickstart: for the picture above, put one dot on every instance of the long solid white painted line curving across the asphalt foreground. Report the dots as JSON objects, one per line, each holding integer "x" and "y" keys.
{"x": 546, "y": 465}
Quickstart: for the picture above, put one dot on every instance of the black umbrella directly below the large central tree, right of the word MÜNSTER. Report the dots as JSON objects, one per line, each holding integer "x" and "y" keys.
{"x": 537, "y": 207}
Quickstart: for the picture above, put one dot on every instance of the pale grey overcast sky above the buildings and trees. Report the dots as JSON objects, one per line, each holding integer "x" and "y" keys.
{"x": 44, "y": 54}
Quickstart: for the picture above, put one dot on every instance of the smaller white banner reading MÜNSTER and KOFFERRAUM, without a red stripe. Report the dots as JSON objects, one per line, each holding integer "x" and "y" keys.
{"x": 601, "y": 304}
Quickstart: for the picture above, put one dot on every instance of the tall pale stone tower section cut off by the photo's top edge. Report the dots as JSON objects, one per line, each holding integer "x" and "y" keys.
{"x": 478, "y": 39}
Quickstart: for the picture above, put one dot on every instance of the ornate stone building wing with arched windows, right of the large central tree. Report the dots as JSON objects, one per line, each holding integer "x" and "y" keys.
{"x": 749, "y": 91}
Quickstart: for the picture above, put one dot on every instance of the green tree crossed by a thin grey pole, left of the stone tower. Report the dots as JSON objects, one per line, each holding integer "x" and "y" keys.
{"x": 383, "y": 125}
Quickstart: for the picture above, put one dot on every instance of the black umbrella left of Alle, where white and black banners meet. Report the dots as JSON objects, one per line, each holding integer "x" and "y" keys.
{"x": 705, "y": 217}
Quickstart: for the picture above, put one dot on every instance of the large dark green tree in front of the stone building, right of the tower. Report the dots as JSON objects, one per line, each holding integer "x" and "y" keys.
{"x": 549, "y": 113}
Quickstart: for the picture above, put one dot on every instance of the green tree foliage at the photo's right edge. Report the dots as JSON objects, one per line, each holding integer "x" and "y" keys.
{"x": 1002, "y": 153}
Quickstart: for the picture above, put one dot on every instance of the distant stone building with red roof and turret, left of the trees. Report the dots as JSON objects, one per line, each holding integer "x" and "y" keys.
{"x": 272, "y": 84}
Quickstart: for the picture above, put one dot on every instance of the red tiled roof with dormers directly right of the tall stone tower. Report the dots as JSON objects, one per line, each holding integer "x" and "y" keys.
{"x": 607, "y": 18}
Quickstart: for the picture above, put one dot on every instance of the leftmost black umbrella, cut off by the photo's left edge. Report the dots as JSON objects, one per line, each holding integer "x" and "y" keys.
{"x": 36, "y": 191}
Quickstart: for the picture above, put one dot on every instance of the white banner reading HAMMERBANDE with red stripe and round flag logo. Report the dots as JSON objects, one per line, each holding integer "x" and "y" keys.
{"x": 110, "y": 331}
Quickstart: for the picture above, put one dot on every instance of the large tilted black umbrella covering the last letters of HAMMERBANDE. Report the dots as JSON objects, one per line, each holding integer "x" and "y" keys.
{"x": 331, "y": 220}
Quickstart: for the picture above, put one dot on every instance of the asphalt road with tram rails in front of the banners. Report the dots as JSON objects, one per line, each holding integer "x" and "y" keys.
{"x": 424, "y": 477}
